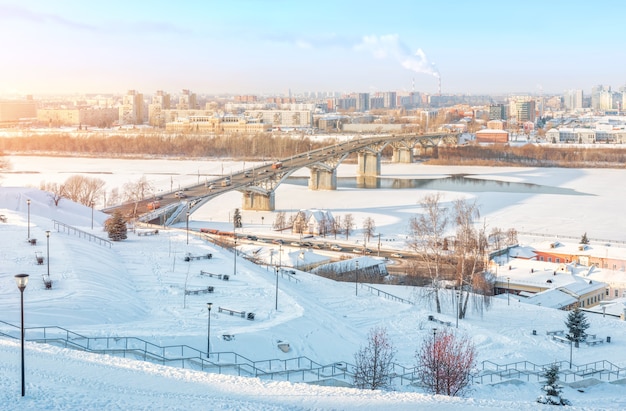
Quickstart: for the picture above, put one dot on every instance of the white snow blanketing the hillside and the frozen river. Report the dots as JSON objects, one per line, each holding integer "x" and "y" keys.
{"x": 136, "y": 288}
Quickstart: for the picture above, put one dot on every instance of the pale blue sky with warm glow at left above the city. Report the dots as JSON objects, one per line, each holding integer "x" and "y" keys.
{"x": 274, "y": 46}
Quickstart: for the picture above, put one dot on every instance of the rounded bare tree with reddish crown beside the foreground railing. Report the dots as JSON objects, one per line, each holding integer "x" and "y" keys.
{"x": 445, "y": 363}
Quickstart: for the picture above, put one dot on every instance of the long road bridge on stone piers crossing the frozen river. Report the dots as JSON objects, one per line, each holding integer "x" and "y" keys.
{"x": 258, "y": 184}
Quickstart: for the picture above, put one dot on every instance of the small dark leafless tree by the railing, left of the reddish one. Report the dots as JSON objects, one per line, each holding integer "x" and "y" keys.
{"x": 374, "y": 362}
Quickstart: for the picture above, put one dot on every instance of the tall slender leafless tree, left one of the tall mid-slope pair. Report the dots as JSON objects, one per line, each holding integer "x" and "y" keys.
{"x": 427, "y": 232}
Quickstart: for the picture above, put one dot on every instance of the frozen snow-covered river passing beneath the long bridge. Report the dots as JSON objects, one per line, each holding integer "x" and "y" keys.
{"x": 552, "y": 201}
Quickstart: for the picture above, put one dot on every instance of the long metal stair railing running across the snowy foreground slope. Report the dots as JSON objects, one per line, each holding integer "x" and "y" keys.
{"x": 301, "y": 369}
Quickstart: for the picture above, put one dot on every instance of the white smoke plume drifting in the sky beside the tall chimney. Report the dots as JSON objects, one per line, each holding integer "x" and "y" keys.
{"x": 390, "y": 46}
